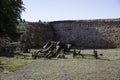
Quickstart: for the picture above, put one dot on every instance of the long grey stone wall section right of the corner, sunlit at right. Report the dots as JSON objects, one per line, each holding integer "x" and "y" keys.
{"x": 104, "y": 33}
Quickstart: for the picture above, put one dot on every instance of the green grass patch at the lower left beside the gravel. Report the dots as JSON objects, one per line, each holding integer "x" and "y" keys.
{"x": 13, "y": 64}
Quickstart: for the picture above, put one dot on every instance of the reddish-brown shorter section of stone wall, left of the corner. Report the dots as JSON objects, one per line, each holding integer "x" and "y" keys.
{"x": 36, "y": 35}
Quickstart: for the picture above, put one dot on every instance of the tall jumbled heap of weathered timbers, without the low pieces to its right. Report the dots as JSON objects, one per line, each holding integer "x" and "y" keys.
{"x": 52, "y": 49}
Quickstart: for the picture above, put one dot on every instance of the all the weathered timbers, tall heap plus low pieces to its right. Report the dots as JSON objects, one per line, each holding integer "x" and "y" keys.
{"x": 54, "y": 49}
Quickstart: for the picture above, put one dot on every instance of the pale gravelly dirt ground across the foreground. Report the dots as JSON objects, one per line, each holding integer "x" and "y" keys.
{"x": 106, "y": 68}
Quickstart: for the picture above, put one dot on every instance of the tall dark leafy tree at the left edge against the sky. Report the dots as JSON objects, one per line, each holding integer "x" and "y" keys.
{"x": 10, "y": 11}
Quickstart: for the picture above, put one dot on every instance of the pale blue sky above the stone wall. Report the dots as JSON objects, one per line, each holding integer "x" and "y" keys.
{"x": 54, "y": 10}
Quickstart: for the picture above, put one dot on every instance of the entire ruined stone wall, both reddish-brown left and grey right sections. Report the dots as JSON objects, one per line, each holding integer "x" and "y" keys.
{"x": 104, "y": 33}
